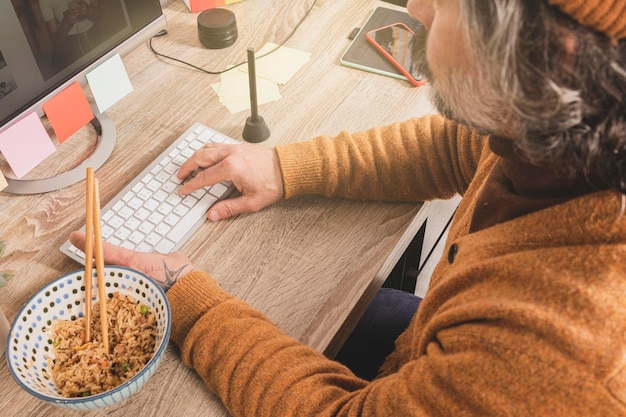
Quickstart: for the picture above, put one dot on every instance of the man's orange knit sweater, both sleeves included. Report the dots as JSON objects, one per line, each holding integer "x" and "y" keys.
{"x": 529, "y": 319}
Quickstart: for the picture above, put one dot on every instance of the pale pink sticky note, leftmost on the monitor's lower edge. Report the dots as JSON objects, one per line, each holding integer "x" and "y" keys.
{"x": 26, "y": 144}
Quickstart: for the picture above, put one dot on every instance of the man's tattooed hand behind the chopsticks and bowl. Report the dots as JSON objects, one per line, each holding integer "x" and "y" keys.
{"x": 165, "y": 269}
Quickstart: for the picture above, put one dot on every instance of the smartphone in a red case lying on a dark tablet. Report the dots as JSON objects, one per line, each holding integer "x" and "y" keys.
{"x": 394, "y": 43}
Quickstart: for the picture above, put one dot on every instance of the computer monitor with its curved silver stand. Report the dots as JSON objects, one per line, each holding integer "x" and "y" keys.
{"x": 46, "y": 45}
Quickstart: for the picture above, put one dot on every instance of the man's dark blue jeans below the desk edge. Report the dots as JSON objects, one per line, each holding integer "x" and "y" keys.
{"x": 373, "y": 338}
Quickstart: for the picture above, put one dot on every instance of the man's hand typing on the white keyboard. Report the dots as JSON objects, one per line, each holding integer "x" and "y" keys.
{"x": 253, "y": 170}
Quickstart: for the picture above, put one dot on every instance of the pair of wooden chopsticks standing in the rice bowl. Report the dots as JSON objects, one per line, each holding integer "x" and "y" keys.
{"x": 93, "y": 236}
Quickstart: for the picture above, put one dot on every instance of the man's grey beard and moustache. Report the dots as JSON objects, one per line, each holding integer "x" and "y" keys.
{"x": 464, "y": 96}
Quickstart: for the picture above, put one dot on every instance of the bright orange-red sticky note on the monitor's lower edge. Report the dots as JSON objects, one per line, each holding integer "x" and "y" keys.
{"x": 68, "y": 111}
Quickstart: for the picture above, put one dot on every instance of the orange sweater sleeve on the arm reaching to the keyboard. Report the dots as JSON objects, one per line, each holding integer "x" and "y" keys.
{"x": 416, "y": 160}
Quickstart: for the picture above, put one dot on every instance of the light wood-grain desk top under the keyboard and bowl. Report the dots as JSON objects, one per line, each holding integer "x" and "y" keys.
{"x": 310, "y": 264}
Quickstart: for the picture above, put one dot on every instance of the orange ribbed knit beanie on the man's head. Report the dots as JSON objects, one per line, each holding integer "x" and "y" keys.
{"x": 607, "y": 16}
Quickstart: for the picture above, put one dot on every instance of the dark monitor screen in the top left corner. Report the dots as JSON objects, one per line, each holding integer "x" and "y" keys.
{"x": 45, "y": 44}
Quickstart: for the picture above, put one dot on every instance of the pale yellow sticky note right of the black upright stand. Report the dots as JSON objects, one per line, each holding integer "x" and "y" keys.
{"x": 280, "y": 65}
